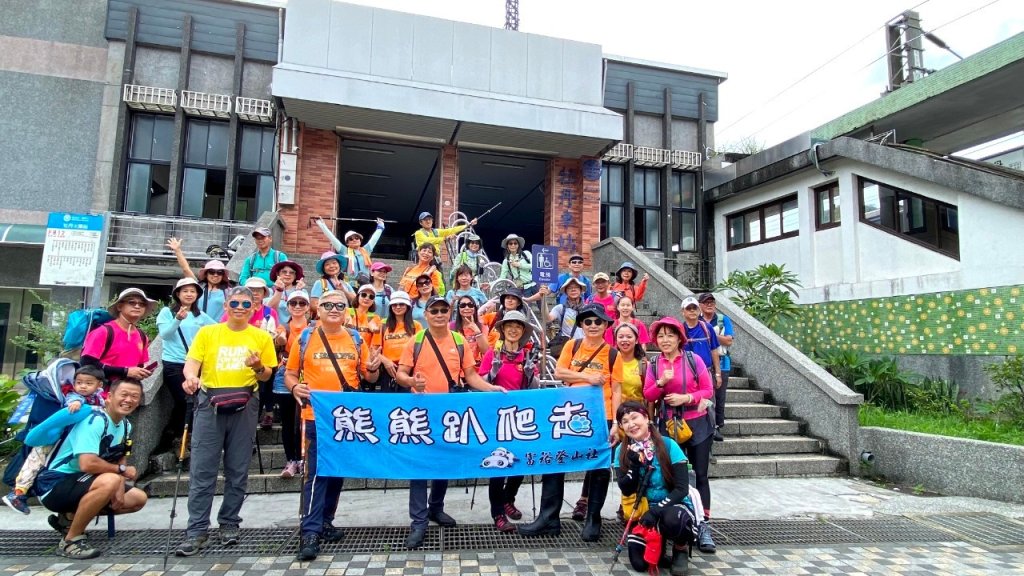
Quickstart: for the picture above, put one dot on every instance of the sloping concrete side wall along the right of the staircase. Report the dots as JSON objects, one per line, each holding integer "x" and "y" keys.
{"x": 827, "y": 407}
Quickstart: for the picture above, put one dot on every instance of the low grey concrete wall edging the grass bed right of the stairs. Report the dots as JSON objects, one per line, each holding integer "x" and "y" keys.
{"x": 949, "y": 466}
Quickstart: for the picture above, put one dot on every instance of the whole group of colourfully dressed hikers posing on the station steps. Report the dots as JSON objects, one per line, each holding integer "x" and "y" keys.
{"x": 238, "y": 356}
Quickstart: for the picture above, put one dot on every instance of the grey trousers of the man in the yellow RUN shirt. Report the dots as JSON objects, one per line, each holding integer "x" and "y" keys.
{"x": 216, "y": 435}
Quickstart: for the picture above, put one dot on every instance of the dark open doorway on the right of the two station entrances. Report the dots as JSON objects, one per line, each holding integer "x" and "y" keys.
{"x": 517, "y": 182}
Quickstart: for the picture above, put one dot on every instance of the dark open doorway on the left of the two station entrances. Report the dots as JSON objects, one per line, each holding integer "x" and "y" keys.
{"x": 391, "y": 182}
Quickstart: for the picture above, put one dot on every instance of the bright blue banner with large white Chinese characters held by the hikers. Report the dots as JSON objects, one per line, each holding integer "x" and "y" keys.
{"x": 460, "y": 436}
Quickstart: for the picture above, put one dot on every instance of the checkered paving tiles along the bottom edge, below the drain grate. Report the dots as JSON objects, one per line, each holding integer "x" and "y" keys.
{"x": 936, "y": 558}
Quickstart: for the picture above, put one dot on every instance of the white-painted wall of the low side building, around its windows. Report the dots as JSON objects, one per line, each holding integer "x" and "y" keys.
{"x": 858, "y": 261}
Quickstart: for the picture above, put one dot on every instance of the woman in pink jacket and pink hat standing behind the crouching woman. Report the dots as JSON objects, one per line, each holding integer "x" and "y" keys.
{"x": 682, "y": 381}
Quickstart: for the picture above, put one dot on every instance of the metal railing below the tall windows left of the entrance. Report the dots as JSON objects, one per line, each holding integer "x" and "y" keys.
{"x": 146, "y": 235}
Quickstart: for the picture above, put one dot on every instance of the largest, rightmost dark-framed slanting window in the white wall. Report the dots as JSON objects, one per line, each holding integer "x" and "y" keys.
{"x": 926, "y": 222}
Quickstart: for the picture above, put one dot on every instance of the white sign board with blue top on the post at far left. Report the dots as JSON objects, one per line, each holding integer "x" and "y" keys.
{"x": 71, "y": 252}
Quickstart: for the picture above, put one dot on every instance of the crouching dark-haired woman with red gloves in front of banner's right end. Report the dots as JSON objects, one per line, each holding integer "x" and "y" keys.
{"x": 653, "y": 475}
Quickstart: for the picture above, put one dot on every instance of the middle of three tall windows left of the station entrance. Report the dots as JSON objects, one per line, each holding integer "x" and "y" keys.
{"x": 206, "y": 170}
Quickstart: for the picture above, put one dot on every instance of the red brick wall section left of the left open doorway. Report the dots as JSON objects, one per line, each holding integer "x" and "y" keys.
{"x": 316, "y": 192}
